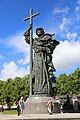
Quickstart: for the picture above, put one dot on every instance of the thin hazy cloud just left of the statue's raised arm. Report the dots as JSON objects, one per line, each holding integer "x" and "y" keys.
{"x": 18, "y": 42}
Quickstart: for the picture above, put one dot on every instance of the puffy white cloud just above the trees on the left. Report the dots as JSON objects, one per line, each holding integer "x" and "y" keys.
{"x": 11, "y": 70}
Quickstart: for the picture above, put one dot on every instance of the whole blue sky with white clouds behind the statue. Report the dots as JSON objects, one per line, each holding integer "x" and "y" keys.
{"x": 59, "y": 17}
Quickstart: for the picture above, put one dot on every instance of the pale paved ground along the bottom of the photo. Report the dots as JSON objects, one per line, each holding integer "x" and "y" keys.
{"x": 62, "y": 116}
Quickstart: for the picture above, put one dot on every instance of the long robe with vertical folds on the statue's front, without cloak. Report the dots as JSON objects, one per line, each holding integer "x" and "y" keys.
{"x": 39, "y": 67}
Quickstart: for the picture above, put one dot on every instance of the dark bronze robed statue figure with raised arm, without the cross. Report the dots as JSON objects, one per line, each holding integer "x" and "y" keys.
{"x": 42, "y": 66}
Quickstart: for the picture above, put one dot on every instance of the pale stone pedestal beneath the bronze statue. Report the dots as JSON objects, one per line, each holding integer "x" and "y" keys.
{"x": 38, "y": 105}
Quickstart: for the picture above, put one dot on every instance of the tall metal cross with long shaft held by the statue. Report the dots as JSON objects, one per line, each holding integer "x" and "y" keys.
{"x": 30, "y": 17}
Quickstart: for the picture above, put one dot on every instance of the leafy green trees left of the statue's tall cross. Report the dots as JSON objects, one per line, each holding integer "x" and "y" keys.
{"x": 12, "y": 89}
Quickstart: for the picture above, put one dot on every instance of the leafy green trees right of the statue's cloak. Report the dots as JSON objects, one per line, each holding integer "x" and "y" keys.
{"x": 69, "y": 84}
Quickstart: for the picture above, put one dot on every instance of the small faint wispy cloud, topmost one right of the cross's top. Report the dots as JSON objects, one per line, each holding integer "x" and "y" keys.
{"x": 58, "y": 10}
